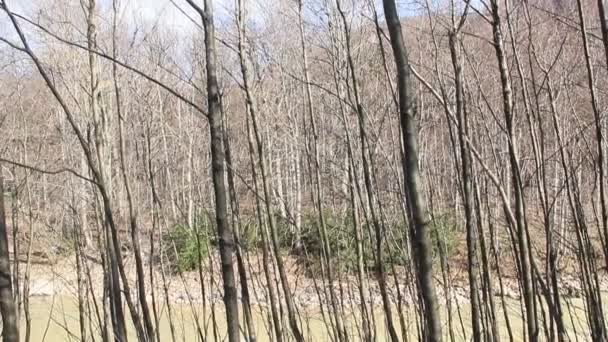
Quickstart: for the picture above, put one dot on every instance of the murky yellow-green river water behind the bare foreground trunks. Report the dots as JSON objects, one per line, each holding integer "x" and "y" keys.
{"x": 56, "y": 319}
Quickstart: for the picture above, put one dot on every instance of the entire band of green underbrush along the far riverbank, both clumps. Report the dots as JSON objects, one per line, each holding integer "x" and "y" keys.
{"x": 184, "y": 246}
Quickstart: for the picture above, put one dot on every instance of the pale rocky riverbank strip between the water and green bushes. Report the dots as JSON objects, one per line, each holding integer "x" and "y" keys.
{"x": 59, "y": 278}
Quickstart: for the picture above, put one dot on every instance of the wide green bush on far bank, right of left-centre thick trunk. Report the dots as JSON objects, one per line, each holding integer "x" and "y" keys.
{"x": 307, "y": 246}
